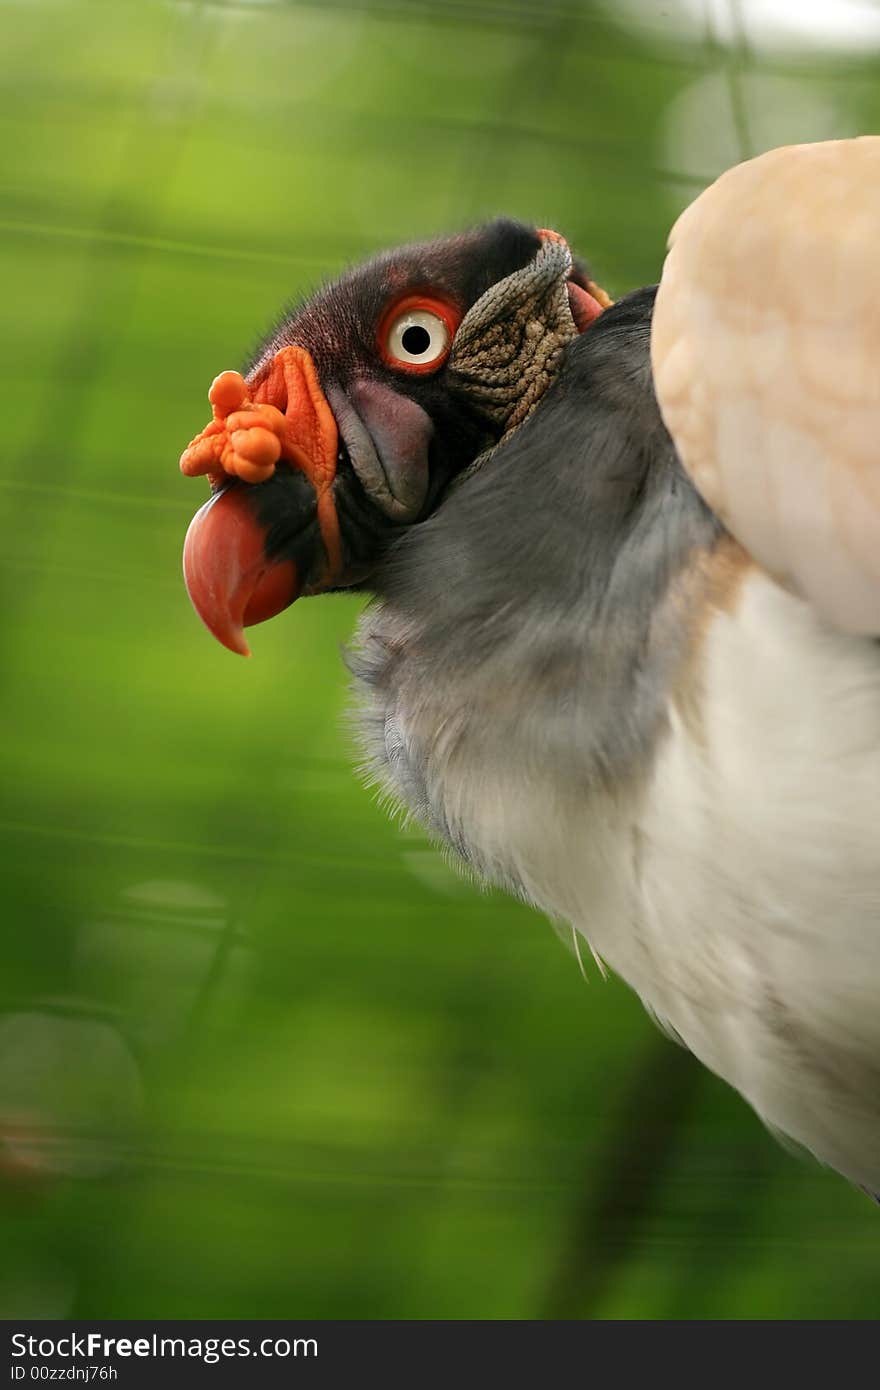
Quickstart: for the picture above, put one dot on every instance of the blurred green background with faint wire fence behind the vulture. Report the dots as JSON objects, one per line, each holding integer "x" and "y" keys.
{"x": 262, "y": 1053}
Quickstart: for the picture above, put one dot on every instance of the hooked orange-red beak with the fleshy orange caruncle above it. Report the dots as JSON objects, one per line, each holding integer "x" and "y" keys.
{"x": 237, "y": 572}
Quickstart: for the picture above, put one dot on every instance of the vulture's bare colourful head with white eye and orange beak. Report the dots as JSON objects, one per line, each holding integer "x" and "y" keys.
{"x": 365, "y": 405}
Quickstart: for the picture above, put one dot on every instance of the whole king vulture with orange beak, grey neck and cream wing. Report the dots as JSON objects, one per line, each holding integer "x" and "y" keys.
{"x": 625, "y": 558}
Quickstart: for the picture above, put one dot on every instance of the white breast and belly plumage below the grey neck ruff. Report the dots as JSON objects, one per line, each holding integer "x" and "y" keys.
{"x": 739, "y": 889}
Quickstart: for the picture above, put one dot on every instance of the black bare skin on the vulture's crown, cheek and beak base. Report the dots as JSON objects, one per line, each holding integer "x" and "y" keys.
{"x": 339, "y": 327}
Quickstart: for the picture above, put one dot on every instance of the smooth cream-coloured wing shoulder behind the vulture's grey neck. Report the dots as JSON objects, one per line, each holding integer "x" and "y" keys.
{"x": 767, "y": 359}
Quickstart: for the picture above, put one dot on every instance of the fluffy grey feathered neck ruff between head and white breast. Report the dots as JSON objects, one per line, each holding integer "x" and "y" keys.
{"x": 529, "y": 635}
